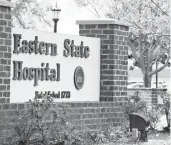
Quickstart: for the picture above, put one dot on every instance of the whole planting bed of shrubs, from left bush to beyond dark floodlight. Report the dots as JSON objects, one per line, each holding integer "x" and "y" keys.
{"x": 46, "y": 124}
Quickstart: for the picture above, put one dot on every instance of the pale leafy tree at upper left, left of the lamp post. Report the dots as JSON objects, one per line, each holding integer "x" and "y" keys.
{"x": 26, "y": 13}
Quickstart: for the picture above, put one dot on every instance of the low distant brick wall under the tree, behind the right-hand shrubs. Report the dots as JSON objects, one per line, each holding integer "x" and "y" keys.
{"x": 149, "y": 95}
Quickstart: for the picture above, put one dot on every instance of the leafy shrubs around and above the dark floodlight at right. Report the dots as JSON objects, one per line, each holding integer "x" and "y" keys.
{"x": 153, "y": 111}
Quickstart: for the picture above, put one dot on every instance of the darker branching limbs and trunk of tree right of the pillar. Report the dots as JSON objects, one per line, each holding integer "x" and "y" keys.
{"x": 147, "y": 51}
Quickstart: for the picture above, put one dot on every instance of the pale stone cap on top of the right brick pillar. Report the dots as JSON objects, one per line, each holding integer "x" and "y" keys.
{"x": 102, "y": 21}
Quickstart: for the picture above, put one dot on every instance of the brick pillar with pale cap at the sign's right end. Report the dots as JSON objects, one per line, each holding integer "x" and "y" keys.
{"x": 114, "y": 56}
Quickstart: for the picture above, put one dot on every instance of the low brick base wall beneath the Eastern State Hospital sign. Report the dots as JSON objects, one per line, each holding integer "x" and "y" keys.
{"x": 93, "y": 115}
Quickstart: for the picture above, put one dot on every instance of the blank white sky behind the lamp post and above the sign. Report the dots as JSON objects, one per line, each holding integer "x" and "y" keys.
{"x": 70, "y": 12}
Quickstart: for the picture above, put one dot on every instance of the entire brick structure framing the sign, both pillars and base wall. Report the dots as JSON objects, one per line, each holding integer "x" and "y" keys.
{"x": 113, "y": 76}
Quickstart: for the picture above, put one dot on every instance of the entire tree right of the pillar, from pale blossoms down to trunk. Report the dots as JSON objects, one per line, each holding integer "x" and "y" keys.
{"x": 149, "y": 41}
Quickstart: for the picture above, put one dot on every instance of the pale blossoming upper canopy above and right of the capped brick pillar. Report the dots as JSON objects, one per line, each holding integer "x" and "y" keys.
{"x": 147, "y": 15}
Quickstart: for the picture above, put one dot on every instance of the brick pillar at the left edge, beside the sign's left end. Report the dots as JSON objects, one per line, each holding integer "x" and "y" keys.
{"x": 5, "y": 50}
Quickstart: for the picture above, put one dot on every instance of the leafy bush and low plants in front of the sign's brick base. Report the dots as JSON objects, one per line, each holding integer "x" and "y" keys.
{"x": 43, "y": 124}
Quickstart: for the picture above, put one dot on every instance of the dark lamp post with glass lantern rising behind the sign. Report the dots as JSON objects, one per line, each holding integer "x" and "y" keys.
{"x": 55, "y": 13}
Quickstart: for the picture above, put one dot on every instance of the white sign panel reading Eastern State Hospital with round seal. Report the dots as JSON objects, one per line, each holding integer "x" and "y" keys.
{"x": 65, "y": 66}
